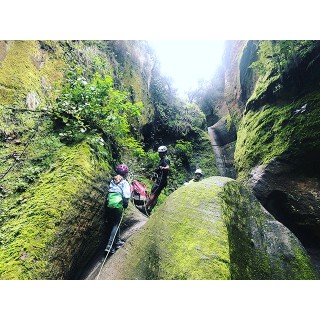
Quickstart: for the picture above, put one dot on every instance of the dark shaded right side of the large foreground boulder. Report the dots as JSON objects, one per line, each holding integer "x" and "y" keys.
{"x": 260, "y": 247}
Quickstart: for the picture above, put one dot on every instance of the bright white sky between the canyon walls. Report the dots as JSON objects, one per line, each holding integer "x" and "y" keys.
{"x": 187, "y": 62}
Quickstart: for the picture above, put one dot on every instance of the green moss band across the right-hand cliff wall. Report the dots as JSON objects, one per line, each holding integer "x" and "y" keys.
{"x": 275, "y": 130}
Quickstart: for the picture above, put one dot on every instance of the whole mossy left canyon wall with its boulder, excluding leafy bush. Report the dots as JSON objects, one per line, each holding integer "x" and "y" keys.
{"x": 51, "y": 200}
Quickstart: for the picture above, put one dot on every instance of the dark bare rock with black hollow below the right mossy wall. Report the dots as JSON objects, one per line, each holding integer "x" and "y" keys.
{"x": 291, "y": 196}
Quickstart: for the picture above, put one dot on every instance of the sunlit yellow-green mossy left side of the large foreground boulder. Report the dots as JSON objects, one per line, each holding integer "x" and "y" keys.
{"x": 185, "y": 239}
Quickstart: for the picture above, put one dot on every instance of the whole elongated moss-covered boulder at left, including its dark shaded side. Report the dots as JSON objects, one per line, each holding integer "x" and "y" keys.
{"x": 54, "y": 227}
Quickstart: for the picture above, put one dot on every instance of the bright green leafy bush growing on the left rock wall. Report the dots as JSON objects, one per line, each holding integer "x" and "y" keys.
{"x": 94, "y": 107}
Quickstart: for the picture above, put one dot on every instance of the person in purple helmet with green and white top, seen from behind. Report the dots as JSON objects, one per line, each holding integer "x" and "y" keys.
{"x": 117, "y": 200}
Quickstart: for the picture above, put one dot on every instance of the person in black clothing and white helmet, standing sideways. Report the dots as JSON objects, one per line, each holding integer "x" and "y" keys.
{"x": 161, "y": 179}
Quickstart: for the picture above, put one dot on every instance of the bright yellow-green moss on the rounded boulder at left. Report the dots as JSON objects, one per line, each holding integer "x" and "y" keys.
{"x": 32, "y": 225}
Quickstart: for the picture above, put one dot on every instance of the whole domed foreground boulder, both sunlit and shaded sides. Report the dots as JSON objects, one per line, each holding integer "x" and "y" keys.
{"x": 214, "y": 229}
